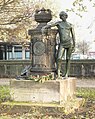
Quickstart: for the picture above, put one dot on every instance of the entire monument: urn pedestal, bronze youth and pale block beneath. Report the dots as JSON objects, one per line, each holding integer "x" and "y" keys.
{"x": 43, "y": 63}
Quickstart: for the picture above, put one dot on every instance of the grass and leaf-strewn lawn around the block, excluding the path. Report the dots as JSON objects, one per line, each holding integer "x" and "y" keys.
{"x": 85, "y": 112}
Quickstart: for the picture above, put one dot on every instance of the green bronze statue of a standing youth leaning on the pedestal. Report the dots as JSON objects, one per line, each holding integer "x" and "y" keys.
{"x": 67, "y": 41}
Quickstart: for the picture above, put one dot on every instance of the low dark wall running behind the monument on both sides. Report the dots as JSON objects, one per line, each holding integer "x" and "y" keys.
{"x": 13, "y": 68}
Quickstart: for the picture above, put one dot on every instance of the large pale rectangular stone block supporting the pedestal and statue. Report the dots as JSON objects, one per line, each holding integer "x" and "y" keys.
{"x": 53, "y": 91}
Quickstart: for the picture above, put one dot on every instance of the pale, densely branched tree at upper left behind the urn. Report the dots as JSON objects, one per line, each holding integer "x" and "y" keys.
{"x": 17, "y": 16}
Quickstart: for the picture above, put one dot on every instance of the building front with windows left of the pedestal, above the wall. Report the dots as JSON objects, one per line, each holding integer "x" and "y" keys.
{"x": 9, "y": 52}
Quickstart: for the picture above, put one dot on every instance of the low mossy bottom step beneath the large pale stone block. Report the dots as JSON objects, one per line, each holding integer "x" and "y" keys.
{"x": 55, "y": 109}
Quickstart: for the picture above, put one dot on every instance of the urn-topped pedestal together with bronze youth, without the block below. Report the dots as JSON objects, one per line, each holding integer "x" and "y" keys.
{"x": 45, "y": 58}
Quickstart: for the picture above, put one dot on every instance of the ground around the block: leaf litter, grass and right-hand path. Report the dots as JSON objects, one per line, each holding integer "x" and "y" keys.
{"x": 86, "y": 111}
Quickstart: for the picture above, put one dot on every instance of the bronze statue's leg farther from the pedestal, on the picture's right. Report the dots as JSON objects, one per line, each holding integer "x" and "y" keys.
{"x": 68, "y": 56}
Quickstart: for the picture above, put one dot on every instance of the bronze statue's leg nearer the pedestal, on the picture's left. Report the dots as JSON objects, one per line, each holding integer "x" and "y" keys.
{"x": 59, "y": 60}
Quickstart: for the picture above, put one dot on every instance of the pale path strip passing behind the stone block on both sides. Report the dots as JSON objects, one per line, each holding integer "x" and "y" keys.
{"x": 90, "y": 83}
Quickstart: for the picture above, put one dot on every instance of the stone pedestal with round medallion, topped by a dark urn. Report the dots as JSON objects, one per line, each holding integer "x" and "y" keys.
{"x": 43, "y": 45}
